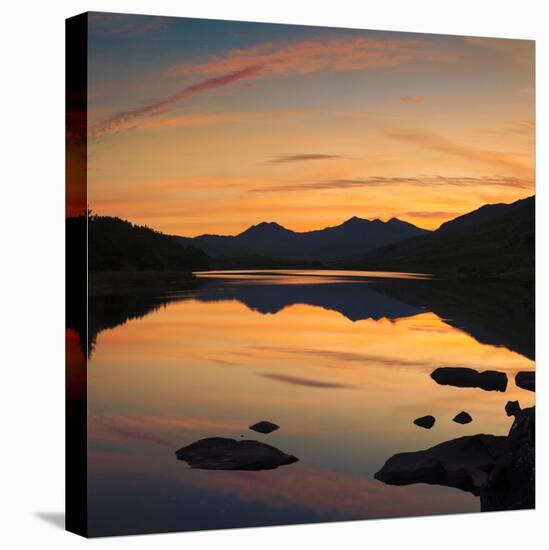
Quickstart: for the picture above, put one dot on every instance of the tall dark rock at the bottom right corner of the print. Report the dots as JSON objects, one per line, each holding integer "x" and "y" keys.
{"x": 511, "y": 484}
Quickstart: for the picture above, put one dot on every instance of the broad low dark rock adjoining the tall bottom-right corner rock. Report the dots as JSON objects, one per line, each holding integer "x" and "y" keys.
{"x": 463, "y": 463}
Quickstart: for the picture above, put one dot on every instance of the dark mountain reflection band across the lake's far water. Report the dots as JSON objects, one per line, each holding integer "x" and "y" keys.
{"x": 492, "y": 312}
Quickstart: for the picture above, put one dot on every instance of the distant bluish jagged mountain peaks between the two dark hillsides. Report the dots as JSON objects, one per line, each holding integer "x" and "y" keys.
{"x": 269, "y": 239}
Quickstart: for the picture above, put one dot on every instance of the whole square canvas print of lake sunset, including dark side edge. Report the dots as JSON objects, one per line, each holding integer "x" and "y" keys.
{"x": 300, "y": 274}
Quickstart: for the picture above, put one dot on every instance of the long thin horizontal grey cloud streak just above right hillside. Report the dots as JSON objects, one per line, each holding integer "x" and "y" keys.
{"x": 381, "y": 181}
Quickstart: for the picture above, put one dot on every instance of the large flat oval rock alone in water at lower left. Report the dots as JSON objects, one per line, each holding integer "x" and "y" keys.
{"x": 220, "y": 453}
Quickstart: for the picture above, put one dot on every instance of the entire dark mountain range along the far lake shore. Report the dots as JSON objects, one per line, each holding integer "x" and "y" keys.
{"x": 494, "y": 240}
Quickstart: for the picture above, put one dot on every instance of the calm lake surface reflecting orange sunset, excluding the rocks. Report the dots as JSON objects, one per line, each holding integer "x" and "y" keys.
{"x": 340, "y": 360}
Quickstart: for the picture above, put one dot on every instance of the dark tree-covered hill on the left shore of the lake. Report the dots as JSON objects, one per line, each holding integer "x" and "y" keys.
{"x": 118, "y": 245}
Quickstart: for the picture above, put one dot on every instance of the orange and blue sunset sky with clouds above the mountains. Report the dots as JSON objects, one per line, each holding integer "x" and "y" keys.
{"x": 200, "y": 126}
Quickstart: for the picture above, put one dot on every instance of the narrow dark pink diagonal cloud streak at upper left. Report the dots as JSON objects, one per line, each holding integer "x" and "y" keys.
{"x": 113, "y": 122}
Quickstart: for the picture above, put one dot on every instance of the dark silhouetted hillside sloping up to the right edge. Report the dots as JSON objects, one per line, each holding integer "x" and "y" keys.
{"x": 496, "y": 239}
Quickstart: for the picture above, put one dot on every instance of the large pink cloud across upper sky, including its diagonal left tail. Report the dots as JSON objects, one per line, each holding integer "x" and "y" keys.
{"x": 280, "y": 58}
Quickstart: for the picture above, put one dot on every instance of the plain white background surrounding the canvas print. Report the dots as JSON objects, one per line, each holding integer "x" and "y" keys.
{"x": 31, "y": 272}
